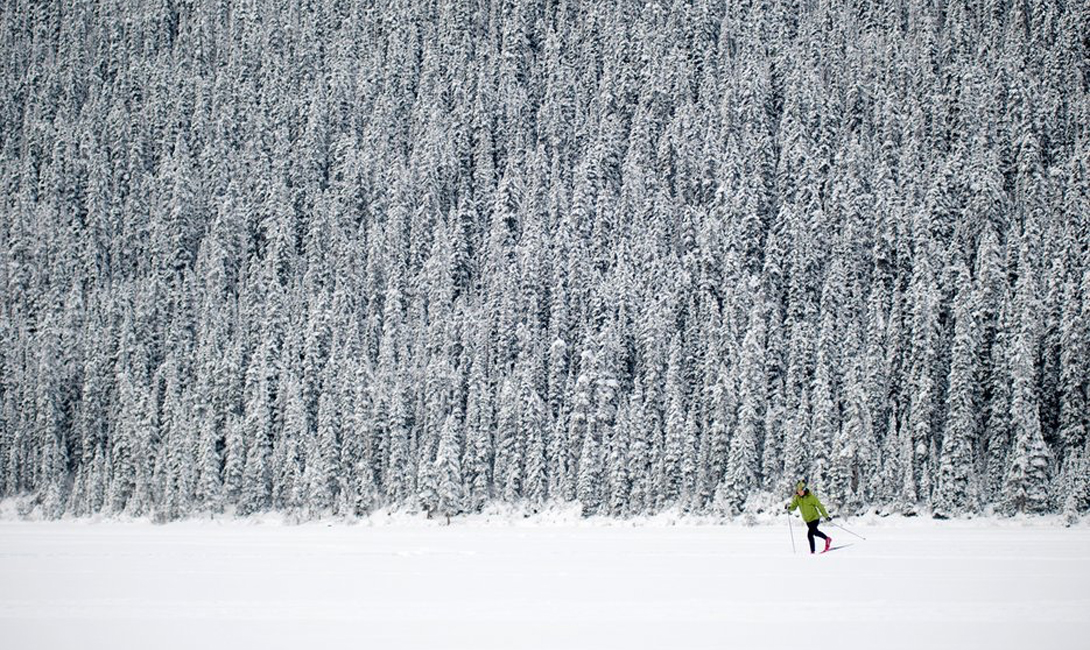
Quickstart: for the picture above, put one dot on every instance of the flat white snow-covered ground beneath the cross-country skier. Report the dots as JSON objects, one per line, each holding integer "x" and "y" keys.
{"x": 913, "y": 584}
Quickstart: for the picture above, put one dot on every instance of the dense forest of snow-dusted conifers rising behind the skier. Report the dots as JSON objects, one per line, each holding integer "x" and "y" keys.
{"x": 328, "y": 257}
